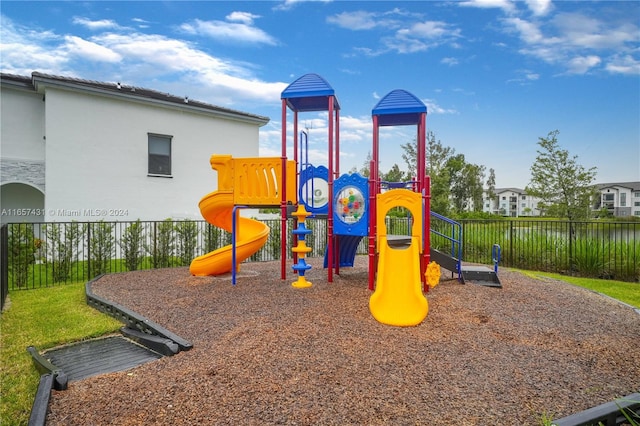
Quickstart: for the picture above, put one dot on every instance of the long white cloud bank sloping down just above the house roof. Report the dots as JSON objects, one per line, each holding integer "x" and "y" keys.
{"x": 147, "y": 60}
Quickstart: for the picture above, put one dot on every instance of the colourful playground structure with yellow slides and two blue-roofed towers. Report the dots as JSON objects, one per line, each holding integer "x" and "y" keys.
{"x": 355, "y": 207}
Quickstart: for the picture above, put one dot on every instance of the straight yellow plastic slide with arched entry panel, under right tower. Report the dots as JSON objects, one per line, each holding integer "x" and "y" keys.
{"x": 398, "y": 299}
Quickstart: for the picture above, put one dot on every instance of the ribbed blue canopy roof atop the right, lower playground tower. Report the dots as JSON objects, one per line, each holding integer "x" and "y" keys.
{"x": 399, "y": 108}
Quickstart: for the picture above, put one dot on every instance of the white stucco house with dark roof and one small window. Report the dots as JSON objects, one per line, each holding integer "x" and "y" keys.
{"x": 74, "y": 149}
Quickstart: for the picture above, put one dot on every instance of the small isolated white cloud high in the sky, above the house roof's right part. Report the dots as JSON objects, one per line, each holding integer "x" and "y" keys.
{"x": 242, "y": 31}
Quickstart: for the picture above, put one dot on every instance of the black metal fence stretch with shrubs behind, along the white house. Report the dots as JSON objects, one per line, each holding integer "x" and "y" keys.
{"x": 47, "y": 254}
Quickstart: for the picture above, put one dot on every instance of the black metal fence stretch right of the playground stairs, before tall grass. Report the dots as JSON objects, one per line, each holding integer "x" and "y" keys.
{"x": 609, "y": 250}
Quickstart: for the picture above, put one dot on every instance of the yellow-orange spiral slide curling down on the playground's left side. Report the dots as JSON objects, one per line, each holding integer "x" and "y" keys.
{"x": 217, "y": 209}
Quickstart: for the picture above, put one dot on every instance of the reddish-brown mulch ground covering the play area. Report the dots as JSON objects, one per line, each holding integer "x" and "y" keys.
{"x": 267, "y": 353}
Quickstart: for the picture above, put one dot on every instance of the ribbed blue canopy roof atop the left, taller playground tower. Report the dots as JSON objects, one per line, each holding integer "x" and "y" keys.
{"x": 309, "y": 93}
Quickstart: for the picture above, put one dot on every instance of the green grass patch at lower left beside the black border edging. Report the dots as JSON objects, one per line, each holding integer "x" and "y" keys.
{"x": 43, "y": 318}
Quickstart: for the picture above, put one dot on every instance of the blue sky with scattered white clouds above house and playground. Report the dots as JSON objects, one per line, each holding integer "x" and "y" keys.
{"x": 495, "y": 74}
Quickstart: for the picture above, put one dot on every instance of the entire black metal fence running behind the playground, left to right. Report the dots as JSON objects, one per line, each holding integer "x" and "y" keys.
{"x": 46, "y": 254}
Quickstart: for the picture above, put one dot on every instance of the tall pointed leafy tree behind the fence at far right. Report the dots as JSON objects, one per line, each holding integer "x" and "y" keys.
{"x": 564, "y": 186}
